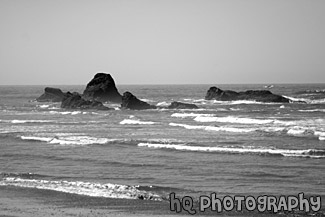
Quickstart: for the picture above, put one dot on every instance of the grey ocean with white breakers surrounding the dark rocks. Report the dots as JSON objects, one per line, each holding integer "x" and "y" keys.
{"x": 230, "y": 148}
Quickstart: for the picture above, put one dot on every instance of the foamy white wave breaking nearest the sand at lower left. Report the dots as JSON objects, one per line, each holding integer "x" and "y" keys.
{"x": 83, "y": 188}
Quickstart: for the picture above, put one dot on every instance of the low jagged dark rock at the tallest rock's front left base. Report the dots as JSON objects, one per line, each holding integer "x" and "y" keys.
{"x": 75, "y": 101}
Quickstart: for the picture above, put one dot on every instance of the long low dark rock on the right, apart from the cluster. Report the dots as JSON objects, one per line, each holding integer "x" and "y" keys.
{"x": 257, "y": 95}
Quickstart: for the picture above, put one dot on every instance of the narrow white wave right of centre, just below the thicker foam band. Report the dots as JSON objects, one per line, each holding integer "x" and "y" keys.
{"x": 214, "y": 128}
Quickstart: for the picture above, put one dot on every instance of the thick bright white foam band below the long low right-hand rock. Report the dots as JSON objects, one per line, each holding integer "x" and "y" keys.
{"x": 232, "y": 119}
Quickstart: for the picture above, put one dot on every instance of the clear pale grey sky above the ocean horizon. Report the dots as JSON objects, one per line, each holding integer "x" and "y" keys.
{"x": 162, "y": 41}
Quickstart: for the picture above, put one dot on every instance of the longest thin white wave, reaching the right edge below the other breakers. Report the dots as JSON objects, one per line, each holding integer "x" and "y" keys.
{"x": 310, "y": 153}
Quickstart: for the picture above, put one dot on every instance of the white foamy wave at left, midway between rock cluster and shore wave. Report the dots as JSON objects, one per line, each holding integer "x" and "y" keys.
{"x": 69, "y": 140}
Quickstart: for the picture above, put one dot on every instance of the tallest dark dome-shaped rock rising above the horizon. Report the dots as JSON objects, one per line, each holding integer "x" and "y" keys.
{"x": 102, "y": 88}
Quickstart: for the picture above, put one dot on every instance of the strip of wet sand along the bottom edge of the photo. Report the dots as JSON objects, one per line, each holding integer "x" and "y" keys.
{"x": 24, "y": 202}
